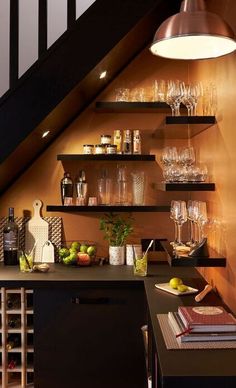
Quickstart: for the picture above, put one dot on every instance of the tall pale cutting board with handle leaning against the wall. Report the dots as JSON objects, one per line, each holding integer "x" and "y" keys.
{"x": 36, "y": 231}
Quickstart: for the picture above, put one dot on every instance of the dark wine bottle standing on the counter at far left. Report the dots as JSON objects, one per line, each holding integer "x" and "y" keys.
{"x": 10, "y": 240}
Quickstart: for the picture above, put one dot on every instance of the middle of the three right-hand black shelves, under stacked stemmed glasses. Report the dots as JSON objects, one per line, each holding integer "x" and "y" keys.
{"x": 185, "y": 186}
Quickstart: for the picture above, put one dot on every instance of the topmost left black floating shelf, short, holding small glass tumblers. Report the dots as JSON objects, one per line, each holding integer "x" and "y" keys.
{"x": 122, "y": 106}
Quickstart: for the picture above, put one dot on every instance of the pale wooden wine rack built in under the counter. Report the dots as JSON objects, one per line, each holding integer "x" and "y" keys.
{"x": 16, "y": 335}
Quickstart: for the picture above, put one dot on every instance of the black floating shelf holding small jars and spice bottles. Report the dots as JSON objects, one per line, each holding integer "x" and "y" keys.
{"x": 107, "y": 157}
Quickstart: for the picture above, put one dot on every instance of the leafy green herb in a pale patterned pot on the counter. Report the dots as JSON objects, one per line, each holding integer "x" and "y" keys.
{"x": 116, "y": 230}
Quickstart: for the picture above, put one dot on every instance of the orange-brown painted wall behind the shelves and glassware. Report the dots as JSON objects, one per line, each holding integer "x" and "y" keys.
{"x": 216, "y": 147}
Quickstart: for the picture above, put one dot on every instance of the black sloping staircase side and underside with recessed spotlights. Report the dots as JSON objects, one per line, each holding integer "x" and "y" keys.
{"x": 62, "y": 83}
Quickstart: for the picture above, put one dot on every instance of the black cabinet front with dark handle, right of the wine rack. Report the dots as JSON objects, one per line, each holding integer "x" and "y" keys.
{"x": 89, "y": 337}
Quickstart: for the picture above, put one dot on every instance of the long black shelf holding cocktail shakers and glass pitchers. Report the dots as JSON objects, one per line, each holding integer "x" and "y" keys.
{"x": 102, "y": 209}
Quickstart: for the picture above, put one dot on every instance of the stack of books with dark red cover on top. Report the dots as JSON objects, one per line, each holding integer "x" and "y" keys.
{"x": 202, "y": 323}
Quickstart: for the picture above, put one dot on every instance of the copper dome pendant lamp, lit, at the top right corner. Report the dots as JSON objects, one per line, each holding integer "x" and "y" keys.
{"x": 193, "y": 33}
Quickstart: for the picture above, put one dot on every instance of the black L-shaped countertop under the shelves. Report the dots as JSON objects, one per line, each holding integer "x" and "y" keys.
{"x": 179, "y": 368}
